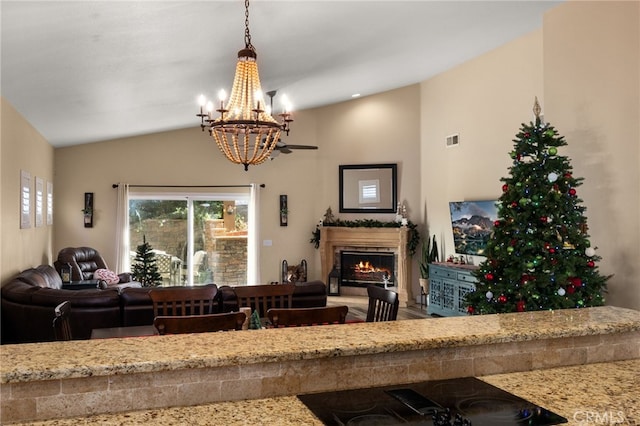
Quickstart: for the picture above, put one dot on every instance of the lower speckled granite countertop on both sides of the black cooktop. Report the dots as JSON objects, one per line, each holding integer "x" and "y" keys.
{"x": 607, "y": 393}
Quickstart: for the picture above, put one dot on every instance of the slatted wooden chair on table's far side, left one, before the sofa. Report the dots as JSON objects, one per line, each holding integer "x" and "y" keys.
{"x": 180, "y": 301}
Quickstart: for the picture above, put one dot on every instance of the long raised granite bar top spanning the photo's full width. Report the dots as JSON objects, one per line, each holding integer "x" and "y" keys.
{"x": 45, "y": 361}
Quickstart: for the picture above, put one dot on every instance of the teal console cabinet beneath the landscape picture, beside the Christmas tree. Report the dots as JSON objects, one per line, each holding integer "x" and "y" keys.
{"x": 448, "y": 284}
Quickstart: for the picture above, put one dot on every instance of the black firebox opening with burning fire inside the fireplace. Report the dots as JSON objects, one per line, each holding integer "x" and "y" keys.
{"x": 361, "y": 268}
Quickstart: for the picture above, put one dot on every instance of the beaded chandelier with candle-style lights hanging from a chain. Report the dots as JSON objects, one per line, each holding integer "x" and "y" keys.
{"x": 245, "y": 131}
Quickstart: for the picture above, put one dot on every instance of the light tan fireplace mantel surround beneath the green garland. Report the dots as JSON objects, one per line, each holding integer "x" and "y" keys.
{"x": 335, "y": 237}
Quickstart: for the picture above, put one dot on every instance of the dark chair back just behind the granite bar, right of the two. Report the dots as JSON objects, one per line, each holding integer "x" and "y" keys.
{"x": 294, "y": 317}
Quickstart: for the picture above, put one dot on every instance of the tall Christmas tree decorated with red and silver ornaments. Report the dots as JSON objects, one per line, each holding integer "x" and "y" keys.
{"x": 539, "y": 256}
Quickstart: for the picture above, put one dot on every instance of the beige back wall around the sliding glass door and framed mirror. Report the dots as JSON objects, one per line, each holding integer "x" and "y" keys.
{"x": 189, "y": 157}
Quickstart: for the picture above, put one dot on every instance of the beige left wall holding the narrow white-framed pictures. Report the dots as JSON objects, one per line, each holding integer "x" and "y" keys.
{"x": 22, "y": 148}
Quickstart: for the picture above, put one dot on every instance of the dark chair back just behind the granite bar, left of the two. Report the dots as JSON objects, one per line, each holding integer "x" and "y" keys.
{"x": 199, "y": 323}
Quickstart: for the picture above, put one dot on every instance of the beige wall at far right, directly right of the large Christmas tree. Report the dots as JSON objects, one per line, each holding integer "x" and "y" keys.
{"x": 592, "y": 96}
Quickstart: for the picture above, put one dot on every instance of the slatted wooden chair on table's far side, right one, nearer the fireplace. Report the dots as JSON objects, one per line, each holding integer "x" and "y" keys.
{"x": 263, "y": 297}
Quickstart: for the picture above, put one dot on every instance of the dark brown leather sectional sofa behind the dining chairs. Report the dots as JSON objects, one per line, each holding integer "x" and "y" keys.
{"x": 29, "y": 299}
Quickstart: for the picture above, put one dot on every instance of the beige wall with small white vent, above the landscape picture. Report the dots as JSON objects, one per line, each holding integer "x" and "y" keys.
{"x": 484, "y": 101}
